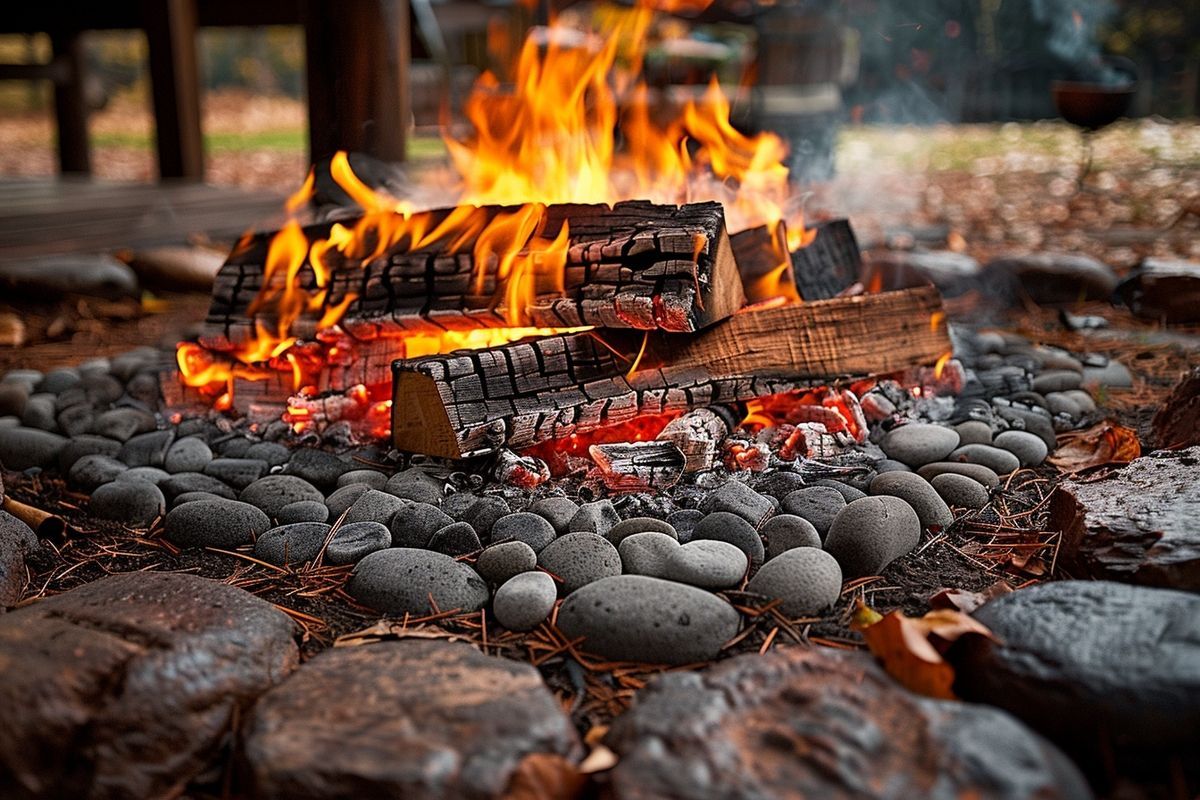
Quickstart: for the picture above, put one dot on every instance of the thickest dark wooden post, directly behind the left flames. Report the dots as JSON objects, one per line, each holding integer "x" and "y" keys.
{"x": 358, "y": 55}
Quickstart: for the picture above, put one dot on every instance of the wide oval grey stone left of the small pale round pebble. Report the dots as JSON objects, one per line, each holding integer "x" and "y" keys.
{"x": 403, "y": 581}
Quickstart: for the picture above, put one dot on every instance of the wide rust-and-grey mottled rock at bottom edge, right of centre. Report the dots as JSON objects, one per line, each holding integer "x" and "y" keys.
{"x": 814, "y": 723}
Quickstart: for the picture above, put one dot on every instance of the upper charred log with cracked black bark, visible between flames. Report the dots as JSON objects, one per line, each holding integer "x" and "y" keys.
{"x": 634, "y": 266}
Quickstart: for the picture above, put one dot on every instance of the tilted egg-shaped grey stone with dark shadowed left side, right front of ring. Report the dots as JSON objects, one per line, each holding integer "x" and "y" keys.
{"x": 872, "y": 533}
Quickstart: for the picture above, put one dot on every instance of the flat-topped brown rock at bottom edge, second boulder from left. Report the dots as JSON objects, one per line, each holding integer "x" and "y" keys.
{"x": 463, "y": 730}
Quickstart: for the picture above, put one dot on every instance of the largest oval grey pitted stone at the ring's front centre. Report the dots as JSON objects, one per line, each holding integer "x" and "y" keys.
{"x": 644, "y": 619}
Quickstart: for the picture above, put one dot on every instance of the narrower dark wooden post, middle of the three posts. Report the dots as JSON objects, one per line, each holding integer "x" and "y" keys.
{"x": 171, "y": 31}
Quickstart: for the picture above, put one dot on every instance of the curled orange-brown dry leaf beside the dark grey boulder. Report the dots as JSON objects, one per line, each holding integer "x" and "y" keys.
{"x": 911, "y": 648}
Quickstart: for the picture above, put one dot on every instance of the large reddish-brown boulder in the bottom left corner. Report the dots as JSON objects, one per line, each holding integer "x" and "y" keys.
{"x": 124, "y": 688}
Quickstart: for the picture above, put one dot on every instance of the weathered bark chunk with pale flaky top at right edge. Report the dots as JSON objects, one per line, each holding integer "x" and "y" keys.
{"x": 1138, "y": 526}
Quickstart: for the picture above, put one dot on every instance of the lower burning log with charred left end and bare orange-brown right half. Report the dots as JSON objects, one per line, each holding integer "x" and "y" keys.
{"x": 472, "y": 404}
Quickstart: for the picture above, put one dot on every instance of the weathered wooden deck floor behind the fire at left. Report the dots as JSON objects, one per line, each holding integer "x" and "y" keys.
{"x": 46, "y": 218}
